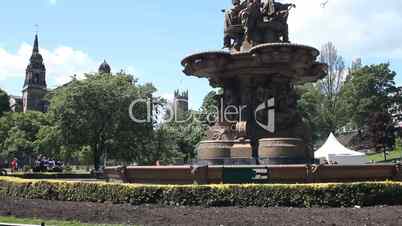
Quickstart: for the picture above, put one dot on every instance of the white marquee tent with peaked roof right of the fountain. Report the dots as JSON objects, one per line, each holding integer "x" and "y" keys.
{"x": 334, "y": 151}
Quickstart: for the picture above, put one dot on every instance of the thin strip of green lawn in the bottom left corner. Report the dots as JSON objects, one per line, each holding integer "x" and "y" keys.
{"x": 14, "y": 220}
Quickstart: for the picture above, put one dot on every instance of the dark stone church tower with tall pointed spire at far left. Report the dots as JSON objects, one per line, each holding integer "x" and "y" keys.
{"x": 35, "y": 87}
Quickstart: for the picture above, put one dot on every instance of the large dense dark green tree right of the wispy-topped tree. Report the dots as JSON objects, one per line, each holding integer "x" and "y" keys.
{"x": 367, "y": 96}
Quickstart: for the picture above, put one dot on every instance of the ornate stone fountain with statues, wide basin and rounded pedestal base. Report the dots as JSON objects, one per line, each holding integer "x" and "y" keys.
{"x": 258, "y": 74}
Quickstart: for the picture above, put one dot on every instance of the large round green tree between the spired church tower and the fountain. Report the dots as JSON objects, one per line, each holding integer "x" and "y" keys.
{"x": 95, "y": 113}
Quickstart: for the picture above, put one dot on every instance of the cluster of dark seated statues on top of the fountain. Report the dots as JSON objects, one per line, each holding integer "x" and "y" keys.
{"x": 252, "y": 22}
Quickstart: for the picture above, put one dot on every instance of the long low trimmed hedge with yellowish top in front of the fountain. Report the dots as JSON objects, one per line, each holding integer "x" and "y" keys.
{"x": 304, "y": 195}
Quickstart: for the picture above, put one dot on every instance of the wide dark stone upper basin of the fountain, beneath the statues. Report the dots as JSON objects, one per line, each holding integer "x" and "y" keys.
{"x": 292, "y": 62}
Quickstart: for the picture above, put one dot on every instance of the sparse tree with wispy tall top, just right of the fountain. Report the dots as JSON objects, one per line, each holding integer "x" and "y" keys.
{"x": 321, "y": 103}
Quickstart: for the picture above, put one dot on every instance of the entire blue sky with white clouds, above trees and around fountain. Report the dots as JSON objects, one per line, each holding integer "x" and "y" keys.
{"x": 149, "y": 38}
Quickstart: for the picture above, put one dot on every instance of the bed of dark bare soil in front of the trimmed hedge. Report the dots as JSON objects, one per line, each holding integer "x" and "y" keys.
{"x": 155, "y": 215}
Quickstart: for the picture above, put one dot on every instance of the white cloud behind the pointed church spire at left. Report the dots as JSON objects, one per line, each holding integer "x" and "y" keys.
{"x": 61, "y": 63}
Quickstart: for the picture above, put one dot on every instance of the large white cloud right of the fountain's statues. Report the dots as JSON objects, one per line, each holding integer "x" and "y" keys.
{"x": 357, "y": 28}
